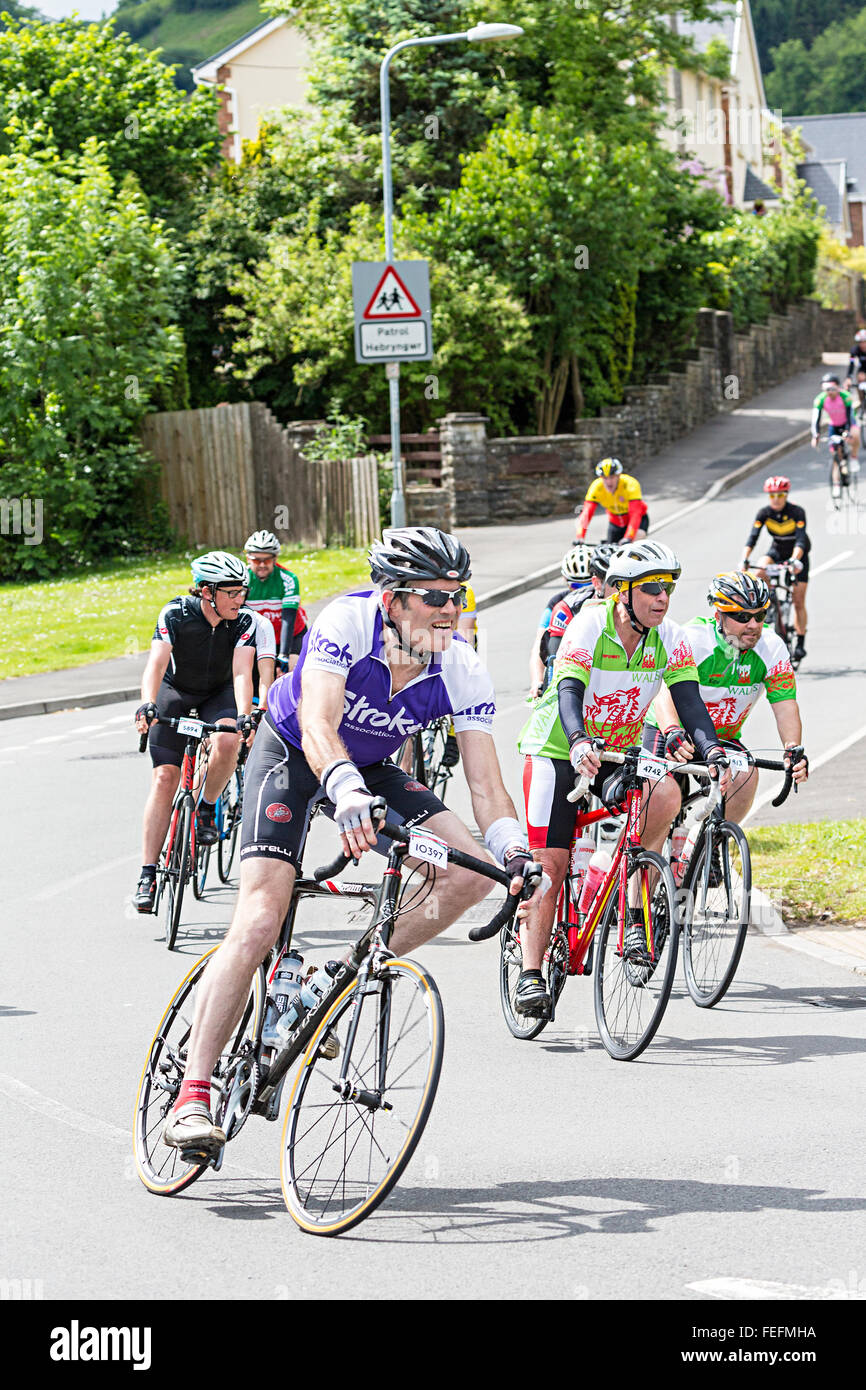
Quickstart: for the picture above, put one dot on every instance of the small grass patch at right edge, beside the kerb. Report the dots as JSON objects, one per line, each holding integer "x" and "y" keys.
{"x": 814, "y": 872}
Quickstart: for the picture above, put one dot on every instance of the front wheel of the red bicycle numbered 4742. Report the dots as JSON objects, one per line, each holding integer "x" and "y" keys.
{"x": 630, "y": 996}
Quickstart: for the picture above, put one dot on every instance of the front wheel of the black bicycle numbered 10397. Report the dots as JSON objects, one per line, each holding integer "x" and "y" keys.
{"x": 354, "y": 1121}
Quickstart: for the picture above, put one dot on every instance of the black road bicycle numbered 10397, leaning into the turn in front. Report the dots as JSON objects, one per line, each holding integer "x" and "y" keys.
{"x": 372, "y": 1056}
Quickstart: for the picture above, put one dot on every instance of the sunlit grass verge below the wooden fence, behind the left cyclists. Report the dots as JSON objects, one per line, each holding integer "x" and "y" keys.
{"x": 113, "y": 611}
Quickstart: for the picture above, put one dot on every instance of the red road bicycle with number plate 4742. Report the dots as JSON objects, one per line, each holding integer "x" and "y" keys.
{"x": 632, "y": 988}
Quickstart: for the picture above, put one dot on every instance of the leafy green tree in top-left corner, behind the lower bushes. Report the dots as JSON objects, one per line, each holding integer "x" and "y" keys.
{"x": 62, "y": 84}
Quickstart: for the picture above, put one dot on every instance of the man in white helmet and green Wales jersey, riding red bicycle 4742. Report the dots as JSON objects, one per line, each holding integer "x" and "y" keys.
{"x": 614, "y": 660}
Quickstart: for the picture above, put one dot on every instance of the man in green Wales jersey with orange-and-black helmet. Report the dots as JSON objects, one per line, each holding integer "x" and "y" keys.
{"x": 737, "y": 661}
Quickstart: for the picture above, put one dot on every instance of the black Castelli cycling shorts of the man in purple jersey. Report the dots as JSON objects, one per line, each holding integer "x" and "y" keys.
{"x": 280, "y": 792}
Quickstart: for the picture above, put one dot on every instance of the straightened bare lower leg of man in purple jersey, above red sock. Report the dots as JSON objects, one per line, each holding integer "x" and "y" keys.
{"x": 263, "y": 901}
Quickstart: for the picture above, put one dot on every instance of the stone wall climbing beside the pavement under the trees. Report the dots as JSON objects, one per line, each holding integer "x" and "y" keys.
{"x": 494, "y": 482}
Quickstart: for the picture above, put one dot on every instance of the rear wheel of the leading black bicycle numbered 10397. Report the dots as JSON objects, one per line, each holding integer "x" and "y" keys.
{"x": 161, "y": 1168}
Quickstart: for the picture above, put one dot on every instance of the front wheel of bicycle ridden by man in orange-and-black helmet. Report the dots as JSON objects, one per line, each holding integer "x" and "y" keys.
{"x": 719, "y": 885}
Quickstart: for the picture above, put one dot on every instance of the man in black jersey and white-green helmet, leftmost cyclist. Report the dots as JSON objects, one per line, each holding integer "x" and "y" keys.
{"x": 201, "y": 657}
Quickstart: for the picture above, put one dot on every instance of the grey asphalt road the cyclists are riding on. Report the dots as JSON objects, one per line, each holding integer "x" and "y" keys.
{"x": 726, "y": 1161}
